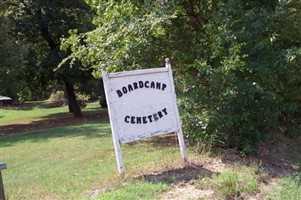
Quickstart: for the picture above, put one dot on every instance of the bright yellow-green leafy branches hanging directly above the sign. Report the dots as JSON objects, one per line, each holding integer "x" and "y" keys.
{"x": 126, "y": 35}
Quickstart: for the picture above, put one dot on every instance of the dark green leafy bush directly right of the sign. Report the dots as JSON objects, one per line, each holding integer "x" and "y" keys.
{"x": 240, "y": 92}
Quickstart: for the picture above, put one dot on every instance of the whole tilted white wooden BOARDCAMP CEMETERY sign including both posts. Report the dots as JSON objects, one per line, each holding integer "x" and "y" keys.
{"x": 142, "y": 104}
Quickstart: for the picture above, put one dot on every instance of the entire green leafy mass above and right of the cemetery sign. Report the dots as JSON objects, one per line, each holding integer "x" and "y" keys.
{"x": 236, "y": 64}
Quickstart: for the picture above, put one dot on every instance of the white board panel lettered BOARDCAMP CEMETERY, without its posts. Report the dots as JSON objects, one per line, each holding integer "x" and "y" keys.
{"x": 142, "y": 104}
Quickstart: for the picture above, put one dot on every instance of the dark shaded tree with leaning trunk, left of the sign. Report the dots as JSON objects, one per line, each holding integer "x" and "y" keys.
{"x": 42, "y": 24}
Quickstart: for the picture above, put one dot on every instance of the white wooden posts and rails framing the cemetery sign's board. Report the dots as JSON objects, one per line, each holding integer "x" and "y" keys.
{"x": 112, "y": 112}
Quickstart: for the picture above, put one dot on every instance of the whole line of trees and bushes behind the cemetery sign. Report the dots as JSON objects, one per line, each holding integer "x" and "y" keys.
{"x": 236, "y": 63}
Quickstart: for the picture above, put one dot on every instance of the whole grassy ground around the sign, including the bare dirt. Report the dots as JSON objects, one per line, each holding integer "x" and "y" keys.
{"x": 77, "y": 161}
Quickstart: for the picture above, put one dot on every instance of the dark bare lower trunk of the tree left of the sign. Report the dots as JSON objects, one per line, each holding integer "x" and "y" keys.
{"x": 72, "y": 102}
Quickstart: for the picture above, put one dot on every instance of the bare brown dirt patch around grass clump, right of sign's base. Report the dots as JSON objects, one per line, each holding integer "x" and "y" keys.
{"x": 185, "y": 181}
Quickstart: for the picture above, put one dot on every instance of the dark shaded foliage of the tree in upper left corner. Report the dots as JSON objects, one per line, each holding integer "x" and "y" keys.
{"x": 40, "y": 25}
